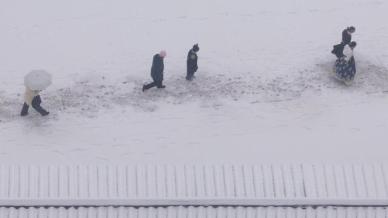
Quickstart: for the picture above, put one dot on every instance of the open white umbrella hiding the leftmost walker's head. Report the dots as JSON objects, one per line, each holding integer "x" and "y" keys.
{"x": 37, "y": 80}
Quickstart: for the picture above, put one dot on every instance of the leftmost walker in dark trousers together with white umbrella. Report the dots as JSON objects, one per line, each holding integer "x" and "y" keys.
{"x": 35, "y": 82}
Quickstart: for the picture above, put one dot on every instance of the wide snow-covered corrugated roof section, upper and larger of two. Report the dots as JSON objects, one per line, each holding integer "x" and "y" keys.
{"x": 206, "y": 185}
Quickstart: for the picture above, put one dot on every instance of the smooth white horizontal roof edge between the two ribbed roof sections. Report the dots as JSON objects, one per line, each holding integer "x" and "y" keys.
{"x": 193, "y": 202}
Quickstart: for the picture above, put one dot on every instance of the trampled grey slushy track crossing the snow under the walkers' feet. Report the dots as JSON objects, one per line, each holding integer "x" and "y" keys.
{"x": 87, "y": 97}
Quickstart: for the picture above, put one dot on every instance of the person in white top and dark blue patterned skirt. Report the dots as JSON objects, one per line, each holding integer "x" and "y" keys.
{"x": 345, "y": 65}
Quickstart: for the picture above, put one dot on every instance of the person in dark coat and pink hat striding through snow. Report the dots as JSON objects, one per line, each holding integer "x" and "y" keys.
{"x": 157, "y": 71}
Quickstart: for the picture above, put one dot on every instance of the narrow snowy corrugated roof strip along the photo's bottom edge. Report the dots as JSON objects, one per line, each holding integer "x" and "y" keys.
{"x": 195, "y": 212}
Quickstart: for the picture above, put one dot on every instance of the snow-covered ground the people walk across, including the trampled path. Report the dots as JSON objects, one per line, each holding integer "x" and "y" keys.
{"x": 264, "y": 91}
